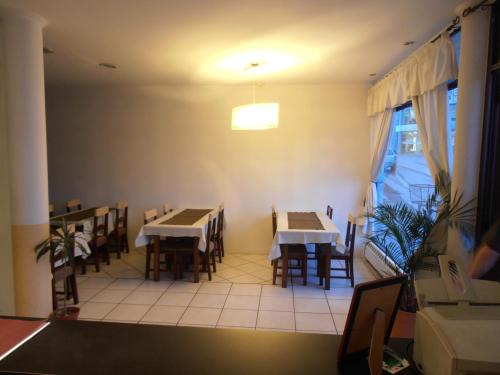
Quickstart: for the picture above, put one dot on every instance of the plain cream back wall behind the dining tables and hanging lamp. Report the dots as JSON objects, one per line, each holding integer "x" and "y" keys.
{"x": 154, "y": 144}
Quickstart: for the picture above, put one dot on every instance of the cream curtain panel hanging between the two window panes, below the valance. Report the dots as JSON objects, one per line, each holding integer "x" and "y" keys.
{"x": 430, "y": 113}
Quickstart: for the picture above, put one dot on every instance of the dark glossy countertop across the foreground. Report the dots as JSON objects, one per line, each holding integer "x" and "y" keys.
{"x": 79, "y": 347}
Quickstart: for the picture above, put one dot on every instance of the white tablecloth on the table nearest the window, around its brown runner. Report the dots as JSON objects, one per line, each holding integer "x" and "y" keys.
{"x": 330, "y": 234}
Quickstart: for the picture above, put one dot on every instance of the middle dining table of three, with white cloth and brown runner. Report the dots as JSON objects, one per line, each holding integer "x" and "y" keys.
{"x": 182, "y": 222}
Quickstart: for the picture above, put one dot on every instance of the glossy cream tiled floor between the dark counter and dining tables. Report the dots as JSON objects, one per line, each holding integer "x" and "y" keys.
{"x": 240, "y": 295}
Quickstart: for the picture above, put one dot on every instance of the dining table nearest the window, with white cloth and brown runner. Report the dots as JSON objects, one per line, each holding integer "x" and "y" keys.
{"x": 305, "y": 228}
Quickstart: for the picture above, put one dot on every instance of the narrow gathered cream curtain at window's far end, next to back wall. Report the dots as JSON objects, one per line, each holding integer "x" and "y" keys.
{"x": 381, "y": 131}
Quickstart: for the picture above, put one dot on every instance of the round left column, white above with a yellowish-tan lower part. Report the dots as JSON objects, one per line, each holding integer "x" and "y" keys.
{"x": 27, "y": 158}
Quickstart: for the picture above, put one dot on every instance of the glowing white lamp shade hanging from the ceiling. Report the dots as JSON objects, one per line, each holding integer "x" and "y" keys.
{"x": 258, "y": 116}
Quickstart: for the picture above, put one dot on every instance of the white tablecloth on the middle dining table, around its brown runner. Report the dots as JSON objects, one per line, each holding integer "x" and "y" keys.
{"x": 155, "y": 228}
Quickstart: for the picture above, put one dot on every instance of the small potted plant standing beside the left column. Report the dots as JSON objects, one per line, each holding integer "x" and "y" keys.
{"x": 61, "y": 246}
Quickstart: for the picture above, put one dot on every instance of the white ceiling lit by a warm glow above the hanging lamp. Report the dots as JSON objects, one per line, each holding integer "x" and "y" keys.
{"x": 213, "y": 41}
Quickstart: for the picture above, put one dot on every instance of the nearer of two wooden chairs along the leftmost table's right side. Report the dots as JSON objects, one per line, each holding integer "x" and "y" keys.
{"x": 99, "y": 241}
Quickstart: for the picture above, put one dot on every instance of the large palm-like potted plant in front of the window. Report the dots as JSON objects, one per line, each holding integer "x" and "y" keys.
{"x": 413, "y": 238}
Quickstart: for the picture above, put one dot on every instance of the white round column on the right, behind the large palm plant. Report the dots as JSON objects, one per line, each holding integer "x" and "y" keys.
{"x": 470, "y": 109}
